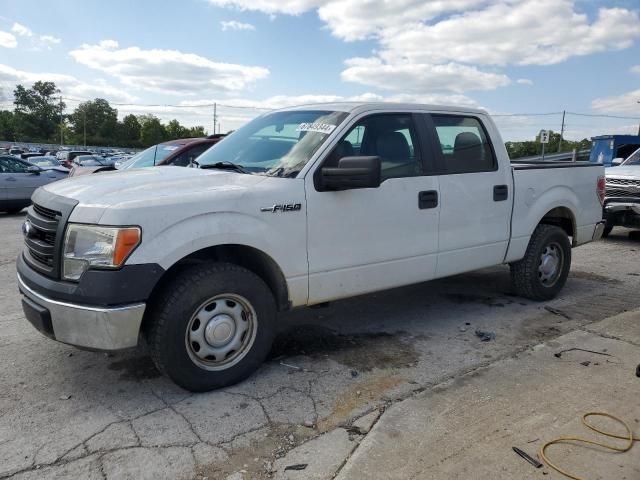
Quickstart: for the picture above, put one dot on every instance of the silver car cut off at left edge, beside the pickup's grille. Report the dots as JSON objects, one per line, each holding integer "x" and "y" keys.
{"x": 18, "y": 181}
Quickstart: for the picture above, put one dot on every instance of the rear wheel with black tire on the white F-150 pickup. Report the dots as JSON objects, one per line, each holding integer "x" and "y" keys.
{"x": 534, "y": 276}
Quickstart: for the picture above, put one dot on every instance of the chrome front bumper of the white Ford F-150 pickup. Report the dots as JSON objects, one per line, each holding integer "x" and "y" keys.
{"x": 100, "y": 328}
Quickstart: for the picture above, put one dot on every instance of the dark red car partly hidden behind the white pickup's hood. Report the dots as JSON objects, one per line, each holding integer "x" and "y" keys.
{"x": 181, "y": 153}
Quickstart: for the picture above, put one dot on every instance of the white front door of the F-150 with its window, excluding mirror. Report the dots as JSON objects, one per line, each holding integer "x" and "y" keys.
{"x": 370, "y": 239}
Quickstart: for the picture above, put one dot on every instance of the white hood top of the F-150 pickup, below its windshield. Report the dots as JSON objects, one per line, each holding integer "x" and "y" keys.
{"x": 147, "y": 184}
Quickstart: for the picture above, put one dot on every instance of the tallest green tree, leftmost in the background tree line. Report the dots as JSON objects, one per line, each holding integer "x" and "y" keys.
{"x": 37, "y": 114}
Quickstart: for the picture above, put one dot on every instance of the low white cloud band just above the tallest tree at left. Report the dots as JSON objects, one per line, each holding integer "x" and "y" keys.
{"x": 69, "y": 85}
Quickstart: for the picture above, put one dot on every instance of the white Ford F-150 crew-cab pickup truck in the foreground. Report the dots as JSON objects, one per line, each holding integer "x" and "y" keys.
{"x": 299, "y": 207}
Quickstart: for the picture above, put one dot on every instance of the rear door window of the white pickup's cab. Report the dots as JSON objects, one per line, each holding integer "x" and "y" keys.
{"x": 464, "y": 144}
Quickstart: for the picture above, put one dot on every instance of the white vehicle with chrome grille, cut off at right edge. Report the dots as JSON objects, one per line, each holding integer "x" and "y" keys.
{"x": 622, "y": 200}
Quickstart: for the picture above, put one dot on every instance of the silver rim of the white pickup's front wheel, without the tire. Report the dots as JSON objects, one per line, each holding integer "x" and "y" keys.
{"x": 221, "y": 331}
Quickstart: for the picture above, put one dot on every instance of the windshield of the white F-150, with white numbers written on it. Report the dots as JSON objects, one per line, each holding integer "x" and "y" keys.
{"x": 277, "y": 144}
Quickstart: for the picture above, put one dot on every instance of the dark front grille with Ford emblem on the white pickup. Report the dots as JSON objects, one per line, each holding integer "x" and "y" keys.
{"x": 40, "y": 237}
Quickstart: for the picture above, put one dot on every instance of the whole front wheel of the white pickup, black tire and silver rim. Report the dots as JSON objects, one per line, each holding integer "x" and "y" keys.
{"x": 228, "y": 343}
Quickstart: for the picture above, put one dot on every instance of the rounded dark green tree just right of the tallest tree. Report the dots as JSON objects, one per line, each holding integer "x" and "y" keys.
{"x": 99, "y": 119}
